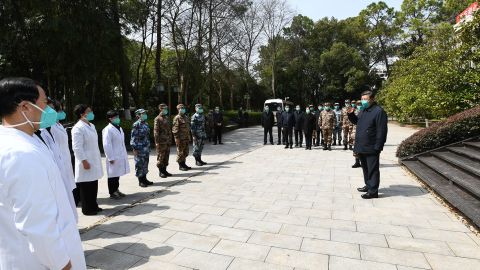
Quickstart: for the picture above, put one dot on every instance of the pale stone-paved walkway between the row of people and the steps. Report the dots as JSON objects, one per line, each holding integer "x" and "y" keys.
{"x": 264, "y": 207}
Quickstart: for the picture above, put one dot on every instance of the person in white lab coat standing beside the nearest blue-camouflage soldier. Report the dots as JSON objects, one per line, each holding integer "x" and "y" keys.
{"x": 113, "y": 140}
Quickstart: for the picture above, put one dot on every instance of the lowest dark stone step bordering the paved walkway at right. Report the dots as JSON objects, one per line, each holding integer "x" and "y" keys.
{"x": 457, "y": 197}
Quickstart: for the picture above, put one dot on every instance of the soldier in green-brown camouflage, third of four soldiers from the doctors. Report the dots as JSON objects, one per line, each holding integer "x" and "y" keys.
{"x": 181, "y": 133}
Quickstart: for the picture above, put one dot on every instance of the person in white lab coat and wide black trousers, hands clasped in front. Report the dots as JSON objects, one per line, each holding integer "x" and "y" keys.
{"x": 88, "y": 161}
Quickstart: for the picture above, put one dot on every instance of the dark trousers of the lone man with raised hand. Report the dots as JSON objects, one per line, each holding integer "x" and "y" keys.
{"x": 371, "y": 171}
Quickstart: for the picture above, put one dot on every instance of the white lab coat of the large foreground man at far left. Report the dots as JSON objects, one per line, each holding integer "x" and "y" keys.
{"x": 37, "y": 226}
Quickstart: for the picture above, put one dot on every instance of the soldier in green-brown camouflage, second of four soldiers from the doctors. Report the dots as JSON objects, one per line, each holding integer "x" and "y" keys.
{"x": 162, "y": 132}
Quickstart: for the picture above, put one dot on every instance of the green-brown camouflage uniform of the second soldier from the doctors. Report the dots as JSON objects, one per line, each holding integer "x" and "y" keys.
{"x": 162, "y": 132}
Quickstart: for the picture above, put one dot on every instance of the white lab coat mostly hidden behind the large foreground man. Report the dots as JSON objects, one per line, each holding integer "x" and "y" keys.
{"x": 56, "y": 143}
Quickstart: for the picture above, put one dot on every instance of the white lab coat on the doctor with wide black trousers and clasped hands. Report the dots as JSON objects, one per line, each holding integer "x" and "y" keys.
{"x": 85, "y": 147}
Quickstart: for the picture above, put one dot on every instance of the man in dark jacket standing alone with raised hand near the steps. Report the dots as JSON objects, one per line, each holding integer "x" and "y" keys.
{"x": 370, "y": 137}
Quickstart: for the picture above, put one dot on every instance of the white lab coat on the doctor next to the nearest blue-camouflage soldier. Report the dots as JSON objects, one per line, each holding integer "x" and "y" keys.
{"x": 114, "y": 147}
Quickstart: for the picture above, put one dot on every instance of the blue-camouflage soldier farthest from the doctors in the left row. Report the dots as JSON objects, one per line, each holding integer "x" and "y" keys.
{"x": 198, "y": 134}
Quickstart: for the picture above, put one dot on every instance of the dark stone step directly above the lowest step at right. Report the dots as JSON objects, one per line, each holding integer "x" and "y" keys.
{"x": 454, "y": 174}
